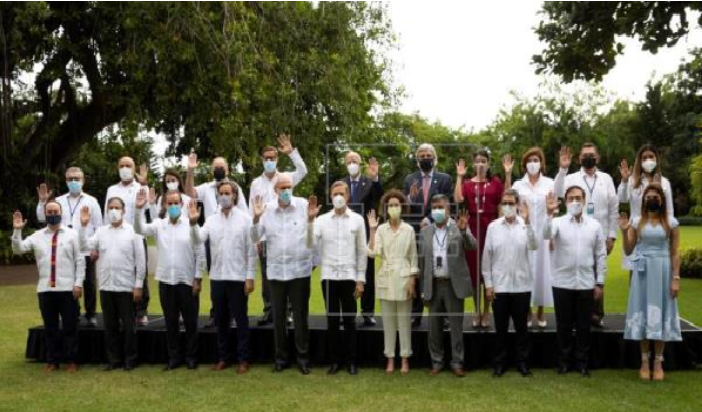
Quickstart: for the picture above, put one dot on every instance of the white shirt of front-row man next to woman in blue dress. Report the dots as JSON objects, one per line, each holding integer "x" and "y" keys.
{"x": 579, "y": 251}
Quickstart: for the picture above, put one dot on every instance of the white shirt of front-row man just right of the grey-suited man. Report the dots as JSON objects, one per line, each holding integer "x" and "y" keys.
{"x": 505, "y": 263}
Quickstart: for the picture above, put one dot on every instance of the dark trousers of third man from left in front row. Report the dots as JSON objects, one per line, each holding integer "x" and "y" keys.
{"x": 178, "y": 300}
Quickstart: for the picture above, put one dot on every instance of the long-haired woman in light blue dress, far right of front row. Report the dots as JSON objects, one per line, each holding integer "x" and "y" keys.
{"x": 652, "y": 313}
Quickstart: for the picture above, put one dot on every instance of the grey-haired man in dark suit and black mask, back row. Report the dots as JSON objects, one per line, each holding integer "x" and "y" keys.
{"x": 419, "y": 188}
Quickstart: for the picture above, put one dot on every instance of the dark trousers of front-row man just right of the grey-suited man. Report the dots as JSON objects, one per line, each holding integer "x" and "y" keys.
{"x": 513, "y": 306}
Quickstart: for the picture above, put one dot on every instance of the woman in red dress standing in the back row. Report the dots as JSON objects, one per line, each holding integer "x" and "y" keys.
{"x": 481, "y": 196}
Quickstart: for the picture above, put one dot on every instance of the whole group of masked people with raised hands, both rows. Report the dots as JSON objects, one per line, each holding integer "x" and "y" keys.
{"x": 503, "y": 246}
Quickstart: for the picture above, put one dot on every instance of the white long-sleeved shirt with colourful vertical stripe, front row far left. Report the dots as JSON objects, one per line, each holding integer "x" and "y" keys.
{"x": 70, "y": 262}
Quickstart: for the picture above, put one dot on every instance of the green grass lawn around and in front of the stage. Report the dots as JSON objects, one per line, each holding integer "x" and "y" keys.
{"x": 24, "y": 387}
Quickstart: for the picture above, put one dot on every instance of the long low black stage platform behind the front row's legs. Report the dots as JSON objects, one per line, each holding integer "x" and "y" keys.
{"x": 609, "y": 349}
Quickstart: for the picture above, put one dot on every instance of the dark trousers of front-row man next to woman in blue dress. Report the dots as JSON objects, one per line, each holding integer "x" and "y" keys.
{"x": 573, "y": 308}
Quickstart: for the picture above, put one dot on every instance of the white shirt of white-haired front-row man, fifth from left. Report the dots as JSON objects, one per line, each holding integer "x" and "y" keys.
{"x": 288, "y": 256}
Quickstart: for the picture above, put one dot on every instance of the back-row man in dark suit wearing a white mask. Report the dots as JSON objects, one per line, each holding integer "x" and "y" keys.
{"x": 366, "y": 192}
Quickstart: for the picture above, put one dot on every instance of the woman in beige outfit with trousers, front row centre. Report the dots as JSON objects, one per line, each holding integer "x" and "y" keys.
{"x": 394, "y": 242}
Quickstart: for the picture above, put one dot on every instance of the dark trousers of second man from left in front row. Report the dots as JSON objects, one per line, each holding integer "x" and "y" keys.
{"x": 118, "y": 307}
